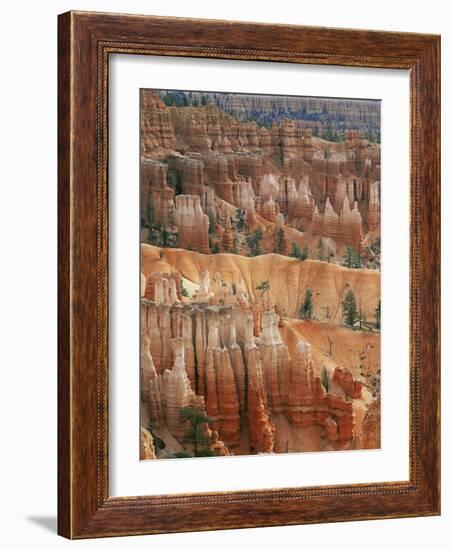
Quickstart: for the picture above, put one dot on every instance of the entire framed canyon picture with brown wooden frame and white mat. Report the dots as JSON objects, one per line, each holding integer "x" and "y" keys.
{"x": 248, "y": 275}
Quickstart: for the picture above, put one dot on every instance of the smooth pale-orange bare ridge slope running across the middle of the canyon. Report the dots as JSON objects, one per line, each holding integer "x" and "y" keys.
{"x": 288, "y": 277}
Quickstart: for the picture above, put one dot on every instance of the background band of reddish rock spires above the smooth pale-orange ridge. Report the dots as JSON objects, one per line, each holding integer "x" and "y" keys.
{"x": 325, "y": 189}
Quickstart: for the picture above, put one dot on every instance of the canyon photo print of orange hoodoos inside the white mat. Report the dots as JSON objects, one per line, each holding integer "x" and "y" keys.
{"x": 260, "y": 274}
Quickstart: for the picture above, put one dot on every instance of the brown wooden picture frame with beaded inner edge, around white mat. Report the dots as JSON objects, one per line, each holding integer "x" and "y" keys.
{"x": 85, "y": 42}
